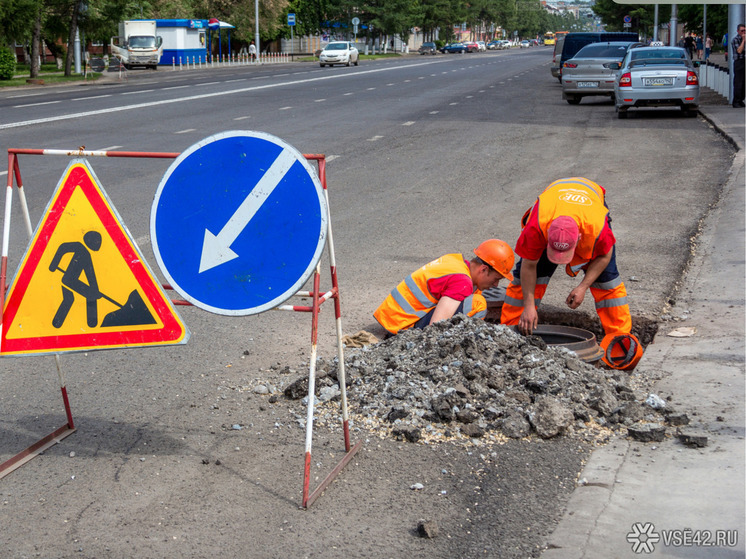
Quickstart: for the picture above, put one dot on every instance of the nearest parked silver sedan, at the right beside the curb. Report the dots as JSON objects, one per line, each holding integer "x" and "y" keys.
{"x": 656, "y": 77}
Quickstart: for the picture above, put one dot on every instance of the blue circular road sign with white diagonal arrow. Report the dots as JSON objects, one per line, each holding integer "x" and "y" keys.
{"x": 238, "y": 222}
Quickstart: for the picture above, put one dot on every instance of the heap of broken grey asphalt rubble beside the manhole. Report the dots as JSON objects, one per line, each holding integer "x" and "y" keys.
{"x": 468, "y": 380}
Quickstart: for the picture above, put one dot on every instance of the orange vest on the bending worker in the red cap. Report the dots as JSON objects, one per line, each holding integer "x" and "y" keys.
{"x": 582, "y": 200}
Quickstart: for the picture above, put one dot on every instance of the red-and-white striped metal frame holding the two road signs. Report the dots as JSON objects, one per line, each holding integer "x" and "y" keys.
{"x": 318, "y": 298}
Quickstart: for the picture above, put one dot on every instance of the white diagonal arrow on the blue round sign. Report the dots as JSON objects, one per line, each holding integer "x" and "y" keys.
{"x": 216, "y": 248}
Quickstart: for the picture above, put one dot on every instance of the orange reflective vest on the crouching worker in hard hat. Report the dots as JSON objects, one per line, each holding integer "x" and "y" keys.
{"x": 411, "y": 299}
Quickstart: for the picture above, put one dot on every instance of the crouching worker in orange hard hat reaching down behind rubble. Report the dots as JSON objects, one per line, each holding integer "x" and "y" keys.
{"x": 446, "y": 286}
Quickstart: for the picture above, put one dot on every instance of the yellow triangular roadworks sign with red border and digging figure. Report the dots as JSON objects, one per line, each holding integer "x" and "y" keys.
{"x": 83, "y": 284}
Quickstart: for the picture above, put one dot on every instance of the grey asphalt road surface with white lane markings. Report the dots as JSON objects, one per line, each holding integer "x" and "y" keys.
{"x": 427, "y": 155}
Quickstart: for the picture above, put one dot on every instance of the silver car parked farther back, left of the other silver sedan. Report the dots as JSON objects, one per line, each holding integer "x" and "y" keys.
{"x": 588, "y": 72}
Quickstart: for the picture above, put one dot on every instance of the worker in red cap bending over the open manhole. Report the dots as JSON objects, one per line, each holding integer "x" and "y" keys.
{"x": 569, "y": 225}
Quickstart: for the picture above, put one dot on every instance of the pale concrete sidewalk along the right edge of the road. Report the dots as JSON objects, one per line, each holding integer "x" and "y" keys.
{"x": 668, "y": 499}
